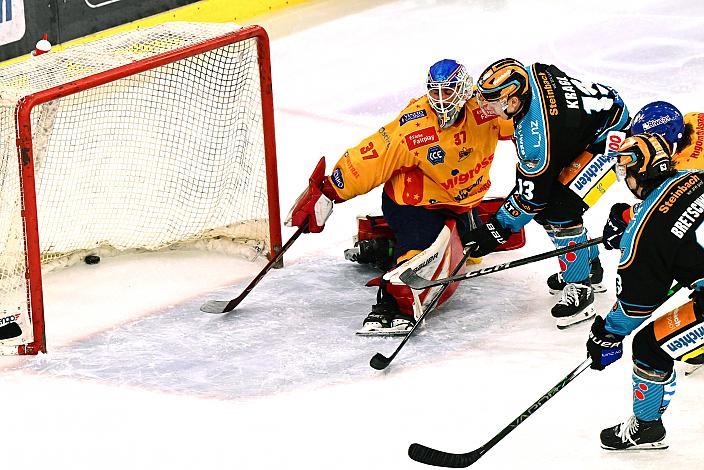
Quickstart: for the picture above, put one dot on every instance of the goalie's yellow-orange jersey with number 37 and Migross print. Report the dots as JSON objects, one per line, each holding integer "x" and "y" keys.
{"x": 421, "y": 164}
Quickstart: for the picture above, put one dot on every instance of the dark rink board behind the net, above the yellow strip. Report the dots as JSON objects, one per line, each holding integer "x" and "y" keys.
{"x": 64, "y": 20}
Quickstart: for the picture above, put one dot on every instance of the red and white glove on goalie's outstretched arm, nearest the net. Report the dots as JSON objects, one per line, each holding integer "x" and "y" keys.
{"x": 312, "y": 206}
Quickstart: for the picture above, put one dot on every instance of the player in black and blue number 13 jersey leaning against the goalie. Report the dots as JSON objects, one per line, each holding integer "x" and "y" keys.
{"x": 562, "y": 127}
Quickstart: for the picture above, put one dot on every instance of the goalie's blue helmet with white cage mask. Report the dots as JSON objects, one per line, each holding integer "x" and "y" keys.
{"x": 449, "y": 88}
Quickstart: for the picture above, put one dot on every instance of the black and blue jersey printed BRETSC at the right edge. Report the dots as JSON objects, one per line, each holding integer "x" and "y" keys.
{"x": 663, "y": 243}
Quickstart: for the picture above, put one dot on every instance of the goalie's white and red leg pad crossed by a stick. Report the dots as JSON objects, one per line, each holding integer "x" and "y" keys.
{"x": 431, "y": 263}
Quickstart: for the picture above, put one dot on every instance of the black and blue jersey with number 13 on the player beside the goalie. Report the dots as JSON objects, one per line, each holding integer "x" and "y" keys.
{"x": 564, "y": 118}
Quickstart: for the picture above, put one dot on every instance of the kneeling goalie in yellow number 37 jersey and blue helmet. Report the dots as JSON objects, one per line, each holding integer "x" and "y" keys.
{"x": 433, "y": 160}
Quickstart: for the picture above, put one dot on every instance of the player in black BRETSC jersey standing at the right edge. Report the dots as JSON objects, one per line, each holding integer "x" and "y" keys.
{"x": 663, "y": 242}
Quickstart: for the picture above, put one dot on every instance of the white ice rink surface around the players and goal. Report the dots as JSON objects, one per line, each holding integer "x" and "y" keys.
{"x": 138, "y": 378}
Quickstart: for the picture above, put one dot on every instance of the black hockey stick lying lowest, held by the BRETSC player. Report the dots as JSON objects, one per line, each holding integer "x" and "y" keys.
{"x": 426, "y": 455}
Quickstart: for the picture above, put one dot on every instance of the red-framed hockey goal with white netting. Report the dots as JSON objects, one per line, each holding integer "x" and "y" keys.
{"x": 139, "y": 141}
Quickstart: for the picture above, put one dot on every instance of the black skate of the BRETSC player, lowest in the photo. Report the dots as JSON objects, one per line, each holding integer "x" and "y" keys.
{"x": 634, "y": 434}
